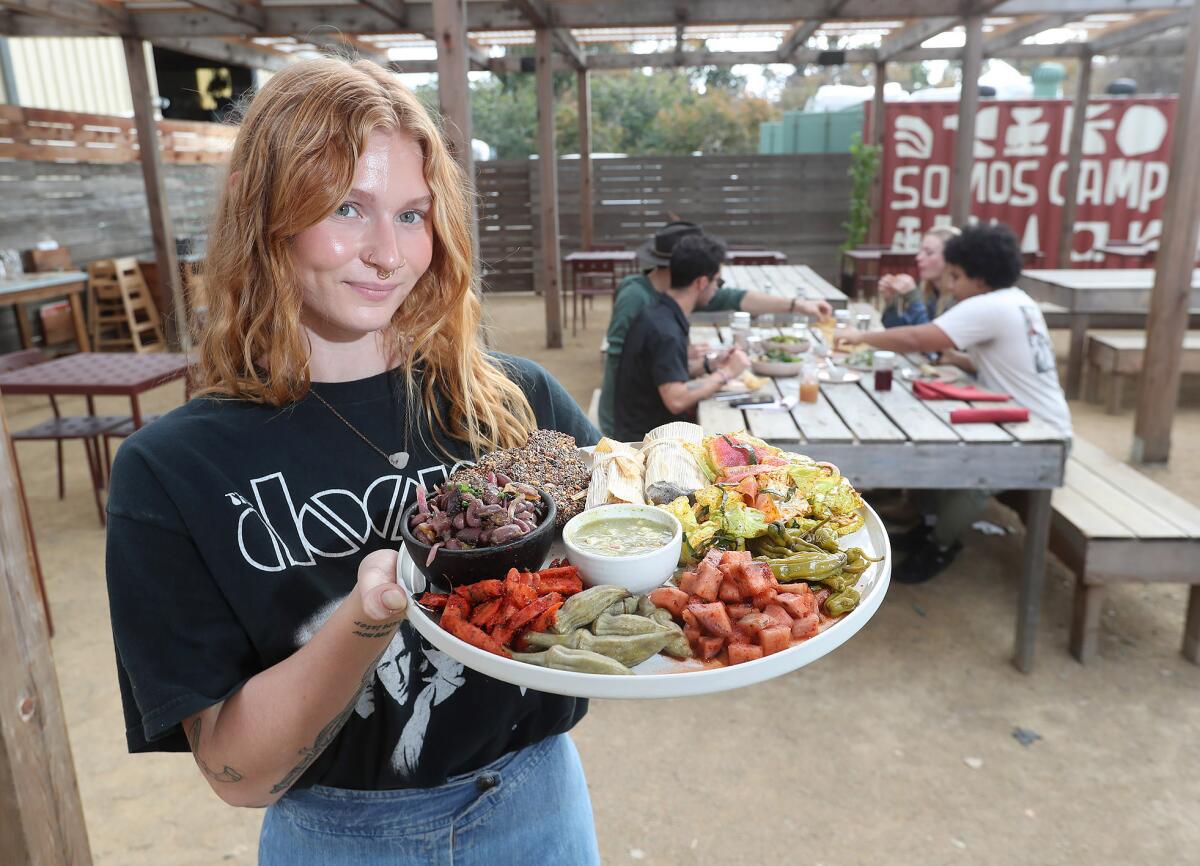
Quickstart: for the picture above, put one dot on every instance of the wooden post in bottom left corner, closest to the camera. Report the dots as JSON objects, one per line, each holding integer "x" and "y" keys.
{"x": 41, "y": 817}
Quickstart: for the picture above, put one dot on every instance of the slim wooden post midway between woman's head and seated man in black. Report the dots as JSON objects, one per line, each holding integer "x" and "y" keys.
{"x": 548, "y": 170}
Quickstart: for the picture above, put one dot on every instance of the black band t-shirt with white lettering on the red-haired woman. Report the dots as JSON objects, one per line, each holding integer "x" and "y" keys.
{"x": 235, "y": 532}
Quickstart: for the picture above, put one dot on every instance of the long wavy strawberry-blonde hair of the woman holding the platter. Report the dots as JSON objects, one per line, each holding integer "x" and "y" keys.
{"x": 293, "y": 163}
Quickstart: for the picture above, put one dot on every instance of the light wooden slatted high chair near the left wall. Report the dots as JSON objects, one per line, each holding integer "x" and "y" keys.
{"x": 122, "y": 310}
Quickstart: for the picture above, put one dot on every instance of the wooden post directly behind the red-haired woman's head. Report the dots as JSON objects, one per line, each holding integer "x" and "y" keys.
{"x": 454, "y": 93}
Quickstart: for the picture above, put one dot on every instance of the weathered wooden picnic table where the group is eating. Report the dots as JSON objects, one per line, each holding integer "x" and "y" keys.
{"x": 892, "y": 440}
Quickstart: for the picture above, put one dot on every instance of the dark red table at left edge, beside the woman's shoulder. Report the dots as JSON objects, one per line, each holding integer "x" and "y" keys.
{"x": 97, "y": 375}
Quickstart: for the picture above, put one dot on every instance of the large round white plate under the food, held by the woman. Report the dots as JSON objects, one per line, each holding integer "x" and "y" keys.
{"x": 662, "y": 677}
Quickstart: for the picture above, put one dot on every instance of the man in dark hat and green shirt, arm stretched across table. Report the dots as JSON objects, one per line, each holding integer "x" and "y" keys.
{"x": 639, "y": 291}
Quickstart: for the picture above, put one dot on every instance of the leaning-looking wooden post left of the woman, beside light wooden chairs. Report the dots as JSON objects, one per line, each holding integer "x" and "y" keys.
{"x": 178, "y": 330}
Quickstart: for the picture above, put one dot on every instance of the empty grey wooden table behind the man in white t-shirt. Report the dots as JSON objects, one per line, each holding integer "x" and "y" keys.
{"x": 1091, "y": 294}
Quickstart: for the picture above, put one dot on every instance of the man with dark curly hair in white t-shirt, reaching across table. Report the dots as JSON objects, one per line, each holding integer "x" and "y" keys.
{"x": 999, "y": 334}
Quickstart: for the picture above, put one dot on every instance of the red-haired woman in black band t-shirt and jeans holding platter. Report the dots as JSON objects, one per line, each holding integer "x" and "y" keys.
{"x": 253, "y": 532}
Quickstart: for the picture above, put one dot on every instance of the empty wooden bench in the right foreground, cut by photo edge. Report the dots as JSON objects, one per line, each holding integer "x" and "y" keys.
{"x": 1113, "y": 525}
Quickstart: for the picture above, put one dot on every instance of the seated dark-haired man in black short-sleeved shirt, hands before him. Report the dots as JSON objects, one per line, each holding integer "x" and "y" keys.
{"x": 656, "y": 382}
